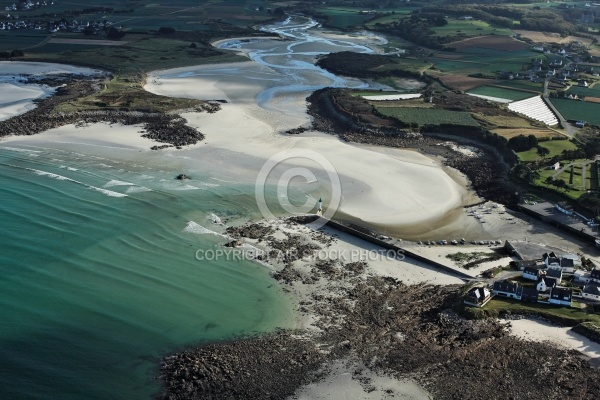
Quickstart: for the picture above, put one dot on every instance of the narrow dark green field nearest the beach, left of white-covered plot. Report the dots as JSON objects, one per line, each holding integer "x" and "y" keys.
{"x": 428, "y": 116}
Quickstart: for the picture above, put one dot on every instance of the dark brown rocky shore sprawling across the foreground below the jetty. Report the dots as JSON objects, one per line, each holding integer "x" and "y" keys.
{"x": 379, "y": 323}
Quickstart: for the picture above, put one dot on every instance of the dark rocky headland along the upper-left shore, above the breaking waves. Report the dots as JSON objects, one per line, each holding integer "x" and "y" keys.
{"x": 167, "y": 128}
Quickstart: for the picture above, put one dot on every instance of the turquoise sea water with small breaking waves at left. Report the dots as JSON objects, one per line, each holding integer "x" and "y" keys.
{"x": 98, "y": 278}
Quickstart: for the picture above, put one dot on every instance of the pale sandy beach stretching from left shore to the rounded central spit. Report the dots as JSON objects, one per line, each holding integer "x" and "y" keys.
{"x": 385, "y": 189}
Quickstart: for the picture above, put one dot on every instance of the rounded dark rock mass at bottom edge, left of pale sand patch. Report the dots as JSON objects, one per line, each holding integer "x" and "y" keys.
{"x": 267, "y": 367}
